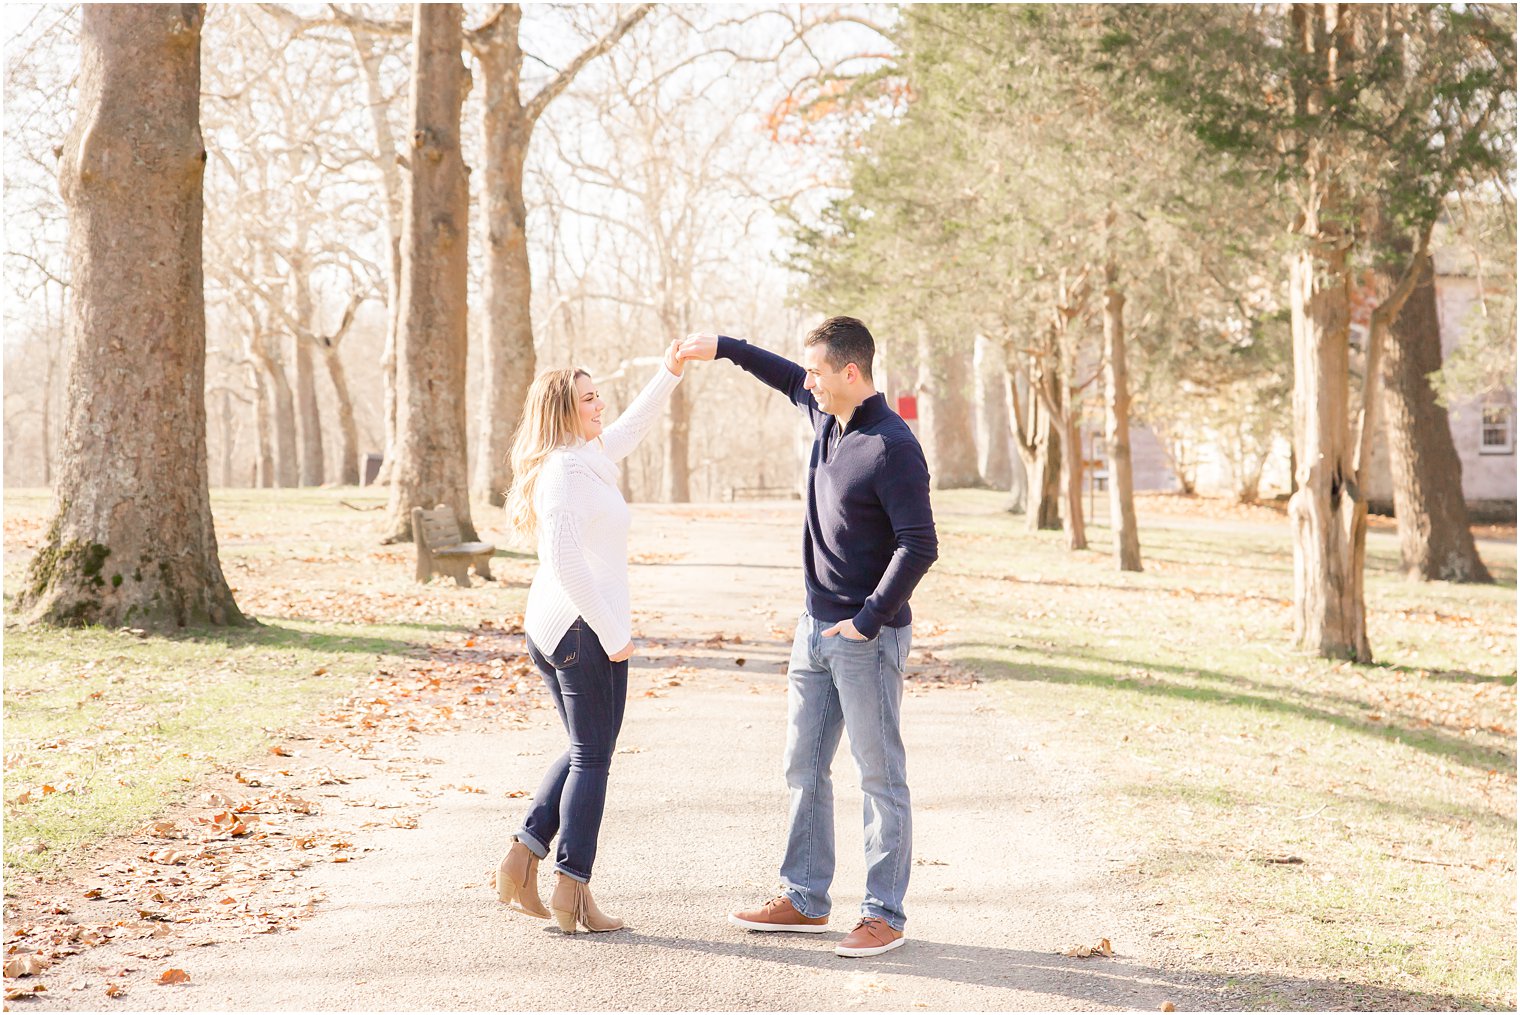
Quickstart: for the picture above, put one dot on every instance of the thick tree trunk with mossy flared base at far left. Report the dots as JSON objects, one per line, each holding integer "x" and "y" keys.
{"x": 133, "y": 540}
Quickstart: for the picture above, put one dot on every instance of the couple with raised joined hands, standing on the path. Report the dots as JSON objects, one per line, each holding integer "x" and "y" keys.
{"x": 870, "y": 539}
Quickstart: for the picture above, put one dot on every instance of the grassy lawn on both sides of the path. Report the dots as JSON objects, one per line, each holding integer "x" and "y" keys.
{"x": 1284, "y": 820}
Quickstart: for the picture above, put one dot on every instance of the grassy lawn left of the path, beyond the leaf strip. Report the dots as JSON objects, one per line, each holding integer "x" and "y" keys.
{"x": 118, "y": 726}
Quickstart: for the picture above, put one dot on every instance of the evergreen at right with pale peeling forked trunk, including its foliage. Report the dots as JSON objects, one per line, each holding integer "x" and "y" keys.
{"x": 1370, "y": 115}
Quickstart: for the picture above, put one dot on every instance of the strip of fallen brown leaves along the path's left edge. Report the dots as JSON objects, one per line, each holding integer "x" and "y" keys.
{"x": 230, "y": 864}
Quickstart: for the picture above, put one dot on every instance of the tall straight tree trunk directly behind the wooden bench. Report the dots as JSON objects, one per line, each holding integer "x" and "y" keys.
{"x": 431, "y": 464}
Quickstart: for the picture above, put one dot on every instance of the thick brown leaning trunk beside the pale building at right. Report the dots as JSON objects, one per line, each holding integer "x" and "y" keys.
{"x": 1436, "y": 539}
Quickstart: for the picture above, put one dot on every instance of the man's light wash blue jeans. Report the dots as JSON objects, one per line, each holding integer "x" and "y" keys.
{"x": 838, "y": 686}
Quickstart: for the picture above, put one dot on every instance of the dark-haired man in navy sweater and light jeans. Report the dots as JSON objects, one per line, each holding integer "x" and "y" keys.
{"x": 870, "y": 539}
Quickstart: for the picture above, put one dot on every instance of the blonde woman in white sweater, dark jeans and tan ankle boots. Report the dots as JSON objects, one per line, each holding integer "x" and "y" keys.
{"x": 565, "y": 493}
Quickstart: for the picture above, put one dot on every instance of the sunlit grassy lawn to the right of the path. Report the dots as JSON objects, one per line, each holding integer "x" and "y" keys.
{"x": 1285, "y": 814}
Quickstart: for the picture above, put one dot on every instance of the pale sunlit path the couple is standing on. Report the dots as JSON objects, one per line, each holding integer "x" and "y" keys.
{"x": 1009, "y": 870}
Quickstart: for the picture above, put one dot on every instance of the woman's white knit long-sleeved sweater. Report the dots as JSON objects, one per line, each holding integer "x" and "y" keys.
{"x": 583, "y": 531}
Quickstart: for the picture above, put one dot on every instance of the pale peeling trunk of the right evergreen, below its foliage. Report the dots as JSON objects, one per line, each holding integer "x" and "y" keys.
{"x": 1328, "y": 513}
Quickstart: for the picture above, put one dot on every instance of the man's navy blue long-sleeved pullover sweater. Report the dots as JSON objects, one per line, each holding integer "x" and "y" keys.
{"x": 870, "y": 530}
